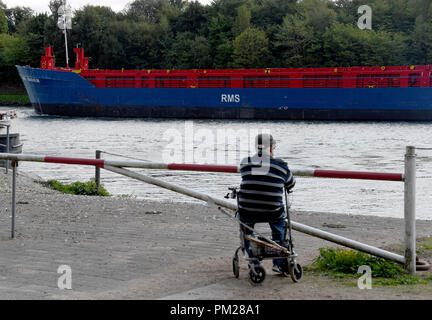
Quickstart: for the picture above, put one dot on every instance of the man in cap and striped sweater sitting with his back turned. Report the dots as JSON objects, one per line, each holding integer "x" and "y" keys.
{"x": 261, "y": 192}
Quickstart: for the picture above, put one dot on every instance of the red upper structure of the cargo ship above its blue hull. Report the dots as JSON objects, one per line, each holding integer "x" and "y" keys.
{"x": 347, "y": 77}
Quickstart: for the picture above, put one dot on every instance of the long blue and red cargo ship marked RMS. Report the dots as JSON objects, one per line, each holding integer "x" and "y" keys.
{"x": 382, "y": 93}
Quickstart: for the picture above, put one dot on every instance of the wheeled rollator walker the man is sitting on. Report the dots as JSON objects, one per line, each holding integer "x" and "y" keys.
{"x": 263, "y": 248}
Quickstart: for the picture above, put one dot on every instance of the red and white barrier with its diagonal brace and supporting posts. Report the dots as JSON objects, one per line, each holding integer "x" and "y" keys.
{"x": 117, "y": 166}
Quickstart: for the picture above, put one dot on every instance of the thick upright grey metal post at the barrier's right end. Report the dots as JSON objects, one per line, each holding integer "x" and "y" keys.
{"x": 409, "y": 210}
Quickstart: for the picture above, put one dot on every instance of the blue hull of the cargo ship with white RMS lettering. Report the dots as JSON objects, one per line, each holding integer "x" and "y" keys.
{"x": 68, "y": 94}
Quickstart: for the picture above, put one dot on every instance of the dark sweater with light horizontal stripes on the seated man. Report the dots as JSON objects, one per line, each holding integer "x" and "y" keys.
{"x": 261, "y": 190}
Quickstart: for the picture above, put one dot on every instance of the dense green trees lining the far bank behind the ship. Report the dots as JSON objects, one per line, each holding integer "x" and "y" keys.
{"x": 182, "y": 34}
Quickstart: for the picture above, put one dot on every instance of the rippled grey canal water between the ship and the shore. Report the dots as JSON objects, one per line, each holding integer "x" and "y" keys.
{"x": 364, "y": 146}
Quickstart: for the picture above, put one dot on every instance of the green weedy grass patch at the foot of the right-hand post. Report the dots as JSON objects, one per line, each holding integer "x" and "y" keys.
{"x": 343, "y": 264}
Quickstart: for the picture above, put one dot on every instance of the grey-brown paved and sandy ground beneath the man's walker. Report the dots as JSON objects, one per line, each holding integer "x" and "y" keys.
{"x": 123, "y": 248}
